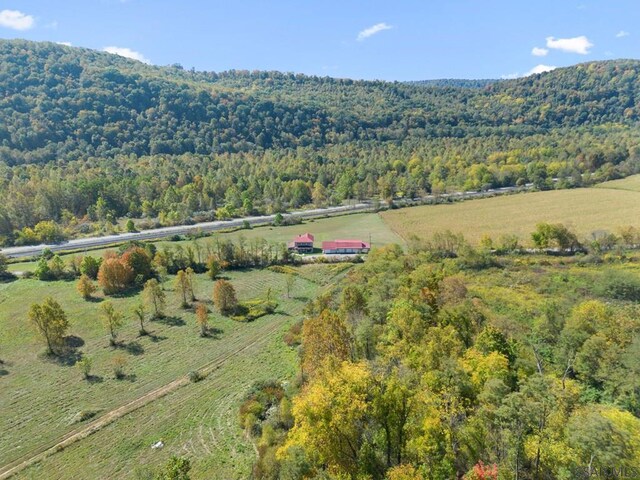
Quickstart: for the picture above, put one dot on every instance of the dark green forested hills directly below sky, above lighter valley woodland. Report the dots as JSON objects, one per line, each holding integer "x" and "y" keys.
{"x": 67, "y": 103}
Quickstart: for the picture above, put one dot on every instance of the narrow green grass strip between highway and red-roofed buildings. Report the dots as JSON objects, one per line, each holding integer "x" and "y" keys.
{"x": 363, "y": 226}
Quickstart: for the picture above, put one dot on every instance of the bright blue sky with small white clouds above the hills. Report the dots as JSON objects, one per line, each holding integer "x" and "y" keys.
{"x": 389, "y": 40}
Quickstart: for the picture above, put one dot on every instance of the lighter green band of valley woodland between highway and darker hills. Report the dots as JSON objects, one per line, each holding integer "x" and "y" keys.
{"x": 51, "y": 202}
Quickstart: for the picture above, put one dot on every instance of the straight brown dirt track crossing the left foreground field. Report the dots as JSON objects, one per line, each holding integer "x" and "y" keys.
{"x": 41, "y": 453}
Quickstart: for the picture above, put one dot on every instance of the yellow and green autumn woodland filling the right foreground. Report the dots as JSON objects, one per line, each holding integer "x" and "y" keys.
{"x": 452, "y": 363}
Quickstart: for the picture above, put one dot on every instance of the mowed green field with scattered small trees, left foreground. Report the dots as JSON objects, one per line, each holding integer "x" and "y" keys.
{"x": 40, "y": 399}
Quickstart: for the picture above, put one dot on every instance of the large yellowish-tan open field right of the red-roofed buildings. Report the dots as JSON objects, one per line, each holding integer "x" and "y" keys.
{"x": 585, "y": 210}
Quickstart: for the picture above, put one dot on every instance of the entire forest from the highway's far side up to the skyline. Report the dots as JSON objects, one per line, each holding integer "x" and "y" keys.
{"x": 87, "y": 137}
